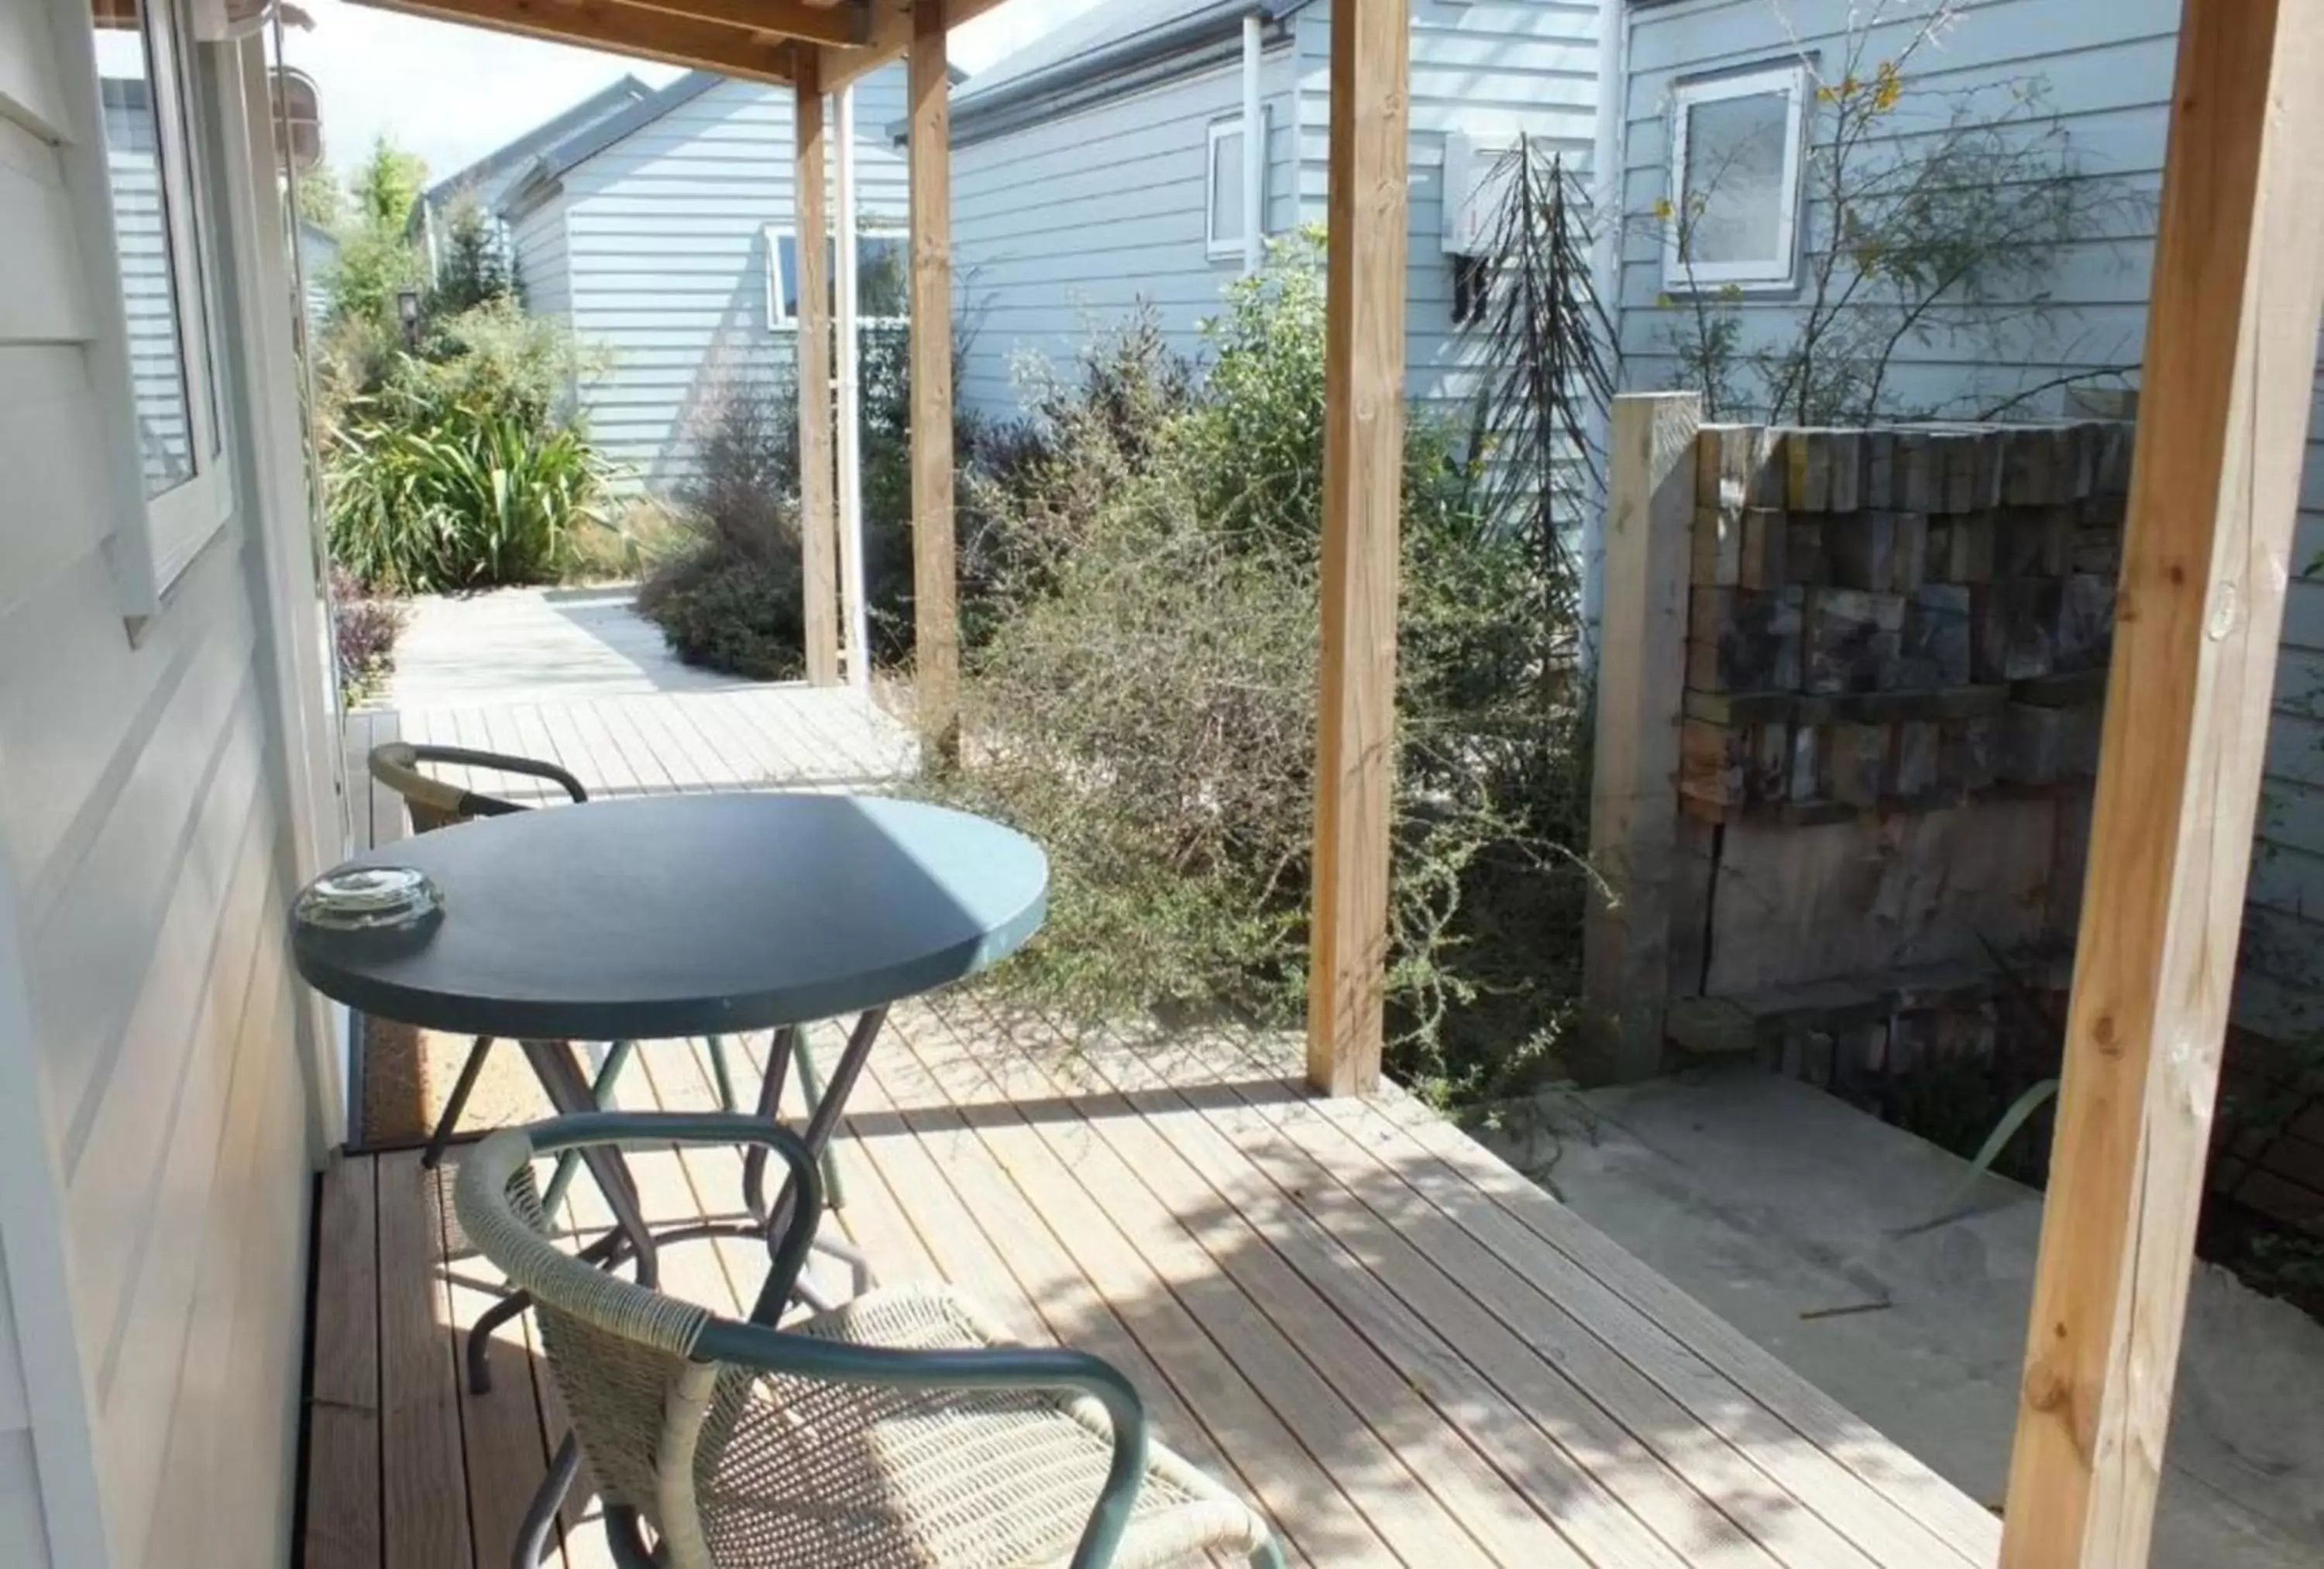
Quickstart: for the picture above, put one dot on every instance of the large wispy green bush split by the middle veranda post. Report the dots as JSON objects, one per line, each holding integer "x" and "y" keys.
{"x": 1145, "y": 703}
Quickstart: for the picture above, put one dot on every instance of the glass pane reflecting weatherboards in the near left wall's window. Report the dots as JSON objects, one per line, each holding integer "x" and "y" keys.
{"x": 143, "y": 234}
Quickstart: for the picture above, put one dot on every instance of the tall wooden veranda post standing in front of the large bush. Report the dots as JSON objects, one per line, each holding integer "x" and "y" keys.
{"x": 1361, "y": 494}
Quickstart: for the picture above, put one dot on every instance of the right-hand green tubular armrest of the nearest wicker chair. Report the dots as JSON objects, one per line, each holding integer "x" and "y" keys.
{"x": 998, "y": 1368}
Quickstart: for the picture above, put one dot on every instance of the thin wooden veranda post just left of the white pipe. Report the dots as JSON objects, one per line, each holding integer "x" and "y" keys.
{"x": 819, "y": 520}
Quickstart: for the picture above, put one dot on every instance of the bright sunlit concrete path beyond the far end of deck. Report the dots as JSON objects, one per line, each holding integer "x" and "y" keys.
{"x": 538, "y": 645}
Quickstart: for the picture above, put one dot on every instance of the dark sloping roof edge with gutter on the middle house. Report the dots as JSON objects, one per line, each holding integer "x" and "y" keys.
{"x": 1131, "y": 50}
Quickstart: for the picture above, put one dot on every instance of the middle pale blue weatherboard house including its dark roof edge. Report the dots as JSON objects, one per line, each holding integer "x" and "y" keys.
{"x": 1105, "y": 164}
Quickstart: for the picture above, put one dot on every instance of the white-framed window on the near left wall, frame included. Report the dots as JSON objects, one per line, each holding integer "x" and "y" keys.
{"x": 157, "y": 201}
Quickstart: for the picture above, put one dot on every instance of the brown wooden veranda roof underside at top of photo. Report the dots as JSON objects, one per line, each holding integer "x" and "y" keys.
{"x": 761, "y": 41}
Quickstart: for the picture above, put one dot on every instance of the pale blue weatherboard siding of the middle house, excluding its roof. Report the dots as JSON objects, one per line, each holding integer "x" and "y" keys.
{"x": 1066, "y": 224}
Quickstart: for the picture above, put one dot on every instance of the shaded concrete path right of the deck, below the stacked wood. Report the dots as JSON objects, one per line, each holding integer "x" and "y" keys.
{"x": 1781, "y": 1208}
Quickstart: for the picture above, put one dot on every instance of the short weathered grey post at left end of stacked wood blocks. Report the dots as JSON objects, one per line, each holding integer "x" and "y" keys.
{"x": 1642, "y": 689}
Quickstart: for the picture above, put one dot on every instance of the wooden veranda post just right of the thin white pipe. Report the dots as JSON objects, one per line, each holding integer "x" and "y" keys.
{"x": 933, "y": 589}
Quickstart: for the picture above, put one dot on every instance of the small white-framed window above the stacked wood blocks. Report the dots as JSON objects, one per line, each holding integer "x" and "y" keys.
{"x": 1735, "y": 180}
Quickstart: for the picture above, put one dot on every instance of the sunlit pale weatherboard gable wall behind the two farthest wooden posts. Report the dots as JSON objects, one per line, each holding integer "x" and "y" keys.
{"x": 654, "y": 252}
